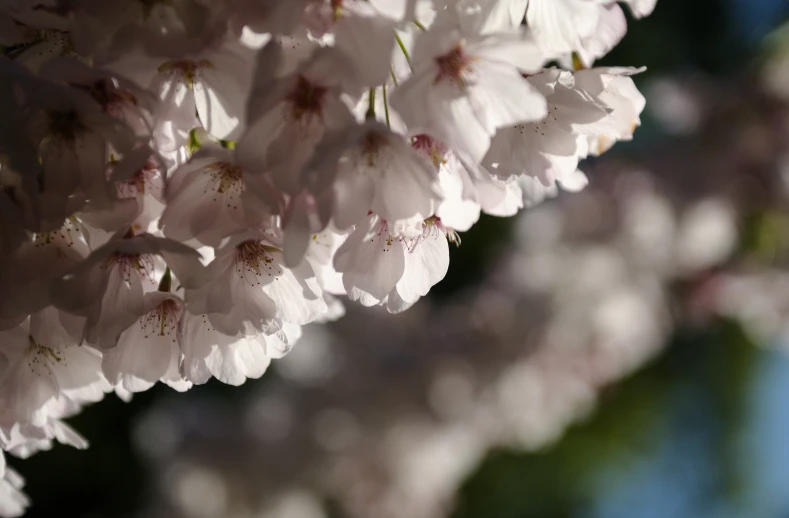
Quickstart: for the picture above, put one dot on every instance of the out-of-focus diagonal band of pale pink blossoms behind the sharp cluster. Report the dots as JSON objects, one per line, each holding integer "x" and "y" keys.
{"x": 384, "y": 416}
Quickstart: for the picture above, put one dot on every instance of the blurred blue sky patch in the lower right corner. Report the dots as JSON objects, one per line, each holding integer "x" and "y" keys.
{"x": 680, "y": 478}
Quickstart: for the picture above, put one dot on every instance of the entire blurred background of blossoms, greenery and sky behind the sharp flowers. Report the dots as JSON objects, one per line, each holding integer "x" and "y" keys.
{"x": 622, "y": 352}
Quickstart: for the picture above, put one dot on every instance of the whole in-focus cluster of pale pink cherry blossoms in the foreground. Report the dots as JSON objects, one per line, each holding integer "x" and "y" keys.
{"x": 185, "y": 183}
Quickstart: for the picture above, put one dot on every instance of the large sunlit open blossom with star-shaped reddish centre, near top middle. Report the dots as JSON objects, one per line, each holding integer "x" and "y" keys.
{"x": 465, "y": 86}
